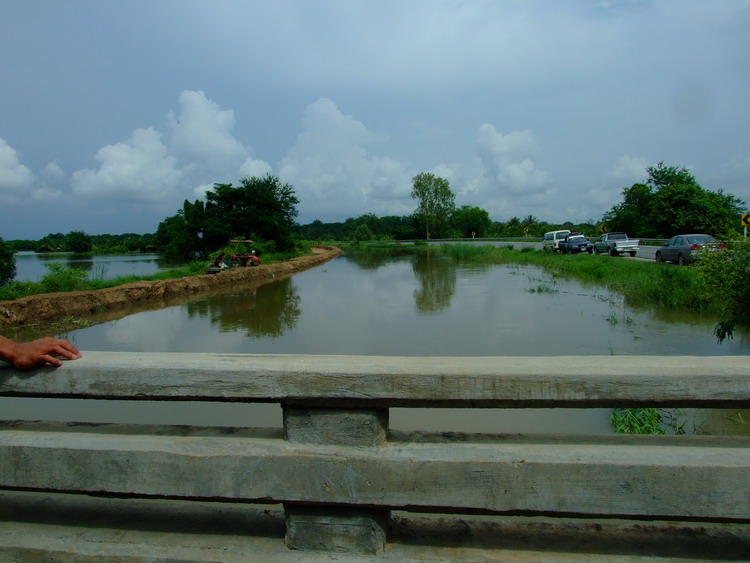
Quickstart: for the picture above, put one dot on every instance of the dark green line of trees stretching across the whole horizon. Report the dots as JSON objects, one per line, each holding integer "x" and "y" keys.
{"x": 669, "y": 201}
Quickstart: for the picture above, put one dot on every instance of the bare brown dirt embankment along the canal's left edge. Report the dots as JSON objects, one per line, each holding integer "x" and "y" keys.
{"x": 51, "y": 307}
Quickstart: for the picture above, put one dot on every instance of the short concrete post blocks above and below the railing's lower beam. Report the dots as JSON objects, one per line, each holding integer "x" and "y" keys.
{"x": 335, "y": 528}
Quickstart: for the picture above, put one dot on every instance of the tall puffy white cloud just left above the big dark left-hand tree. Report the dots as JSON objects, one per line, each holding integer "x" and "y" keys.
{"x": 139, "y": 169}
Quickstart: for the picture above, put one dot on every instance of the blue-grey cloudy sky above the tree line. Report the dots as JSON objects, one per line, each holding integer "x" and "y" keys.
{"x": 112, "y": 113}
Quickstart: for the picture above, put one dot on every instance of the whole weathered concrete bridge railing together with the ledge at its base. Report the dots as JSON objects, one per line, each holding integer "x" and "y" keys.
{"x": 334, "y": 462}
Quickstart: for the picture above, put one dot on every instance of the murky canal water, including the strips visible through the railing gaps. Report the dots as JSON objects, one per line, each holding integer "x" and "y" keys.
{"x": 401, "y": 303}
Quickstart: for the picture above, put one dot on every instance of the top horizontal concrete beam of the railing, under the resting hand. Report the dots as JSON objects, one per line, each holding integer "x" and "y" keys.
{"x": 562, "y": 381}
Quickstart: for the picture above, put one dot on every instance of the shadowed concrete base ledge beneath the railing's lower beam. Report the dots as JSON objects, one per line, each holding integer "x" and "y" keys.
{"x": 41, "y": 527}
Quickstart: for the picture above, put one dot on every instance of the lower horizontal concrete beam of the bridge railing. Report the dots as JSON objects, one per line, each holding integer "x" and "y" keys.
{"x": 664, "y": 477}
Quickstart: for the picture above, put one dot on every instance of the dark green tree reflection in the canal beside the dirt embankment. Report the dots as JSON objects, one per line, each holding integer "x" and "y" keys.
{"x": 266, "y": 311}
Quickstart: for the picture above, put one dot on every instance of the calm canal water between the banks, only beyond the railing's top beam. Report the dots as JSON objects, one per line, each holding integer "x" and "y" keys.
{"x": 411, "y": 304}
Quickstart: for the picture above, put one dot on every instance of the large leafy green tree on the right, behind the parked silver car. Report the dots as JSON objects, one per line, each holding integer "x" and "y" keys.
{"x": 671, "y": 201}
